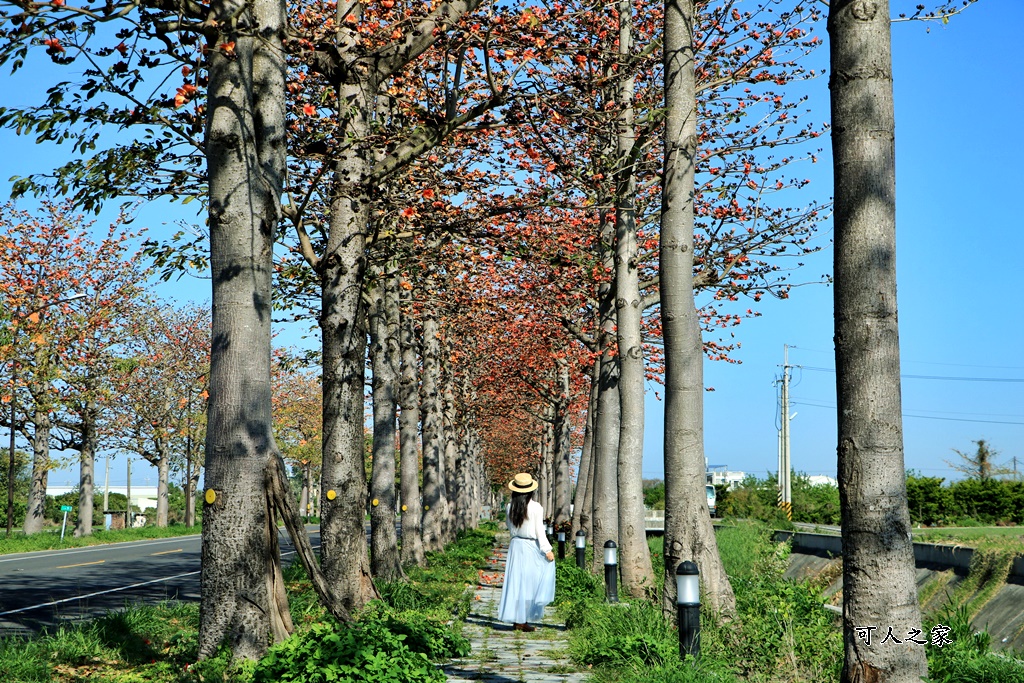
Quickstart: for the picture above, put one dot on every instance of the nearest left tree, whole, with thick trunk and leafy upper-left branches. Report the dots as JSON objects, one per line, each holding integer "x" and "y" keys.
{"x": 240, "y": 133}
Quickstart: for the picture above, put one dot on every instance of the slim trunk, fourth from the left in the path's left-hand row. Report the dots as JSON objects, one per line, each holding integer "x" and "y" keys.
{"x": 409, "y": 421}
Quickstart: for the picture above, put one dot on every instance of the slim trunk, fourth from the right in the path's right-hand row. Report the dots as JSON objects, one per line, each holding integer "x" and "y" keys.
{"x": 606, "y": 501}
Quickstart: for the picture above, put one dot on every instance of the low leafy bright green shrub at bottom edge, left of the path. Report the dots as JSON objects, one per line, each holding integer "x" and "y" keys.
{"x": 367, "y": 654}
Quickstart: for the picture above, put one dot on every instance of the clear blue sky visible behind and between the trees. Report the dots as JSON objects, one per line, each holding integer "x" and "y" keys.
{"x": 959, "y": 98}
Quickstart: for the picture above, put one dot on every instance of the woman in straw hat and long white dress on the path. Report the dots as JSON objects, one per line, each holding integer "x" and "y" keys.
{"x": 530, "y": 567}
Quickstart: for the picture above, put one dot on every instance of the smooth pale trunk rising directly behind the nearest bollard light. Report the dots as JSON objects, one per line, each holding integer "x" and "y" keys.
{"x": 689, "y": 532}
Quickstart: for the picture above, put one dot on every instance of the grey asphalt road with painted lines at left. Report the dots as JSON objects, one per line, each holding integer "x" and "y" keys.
{"x": 41, "y": 589}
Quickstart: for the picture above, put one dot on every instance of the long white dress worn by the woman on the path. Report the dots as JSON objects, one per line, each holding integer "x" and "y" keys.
{"x": 530, "y": 578}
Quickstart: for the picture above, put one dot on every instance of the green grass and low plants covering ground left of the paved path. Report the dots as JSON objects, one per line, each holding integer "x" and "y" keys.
{"x": 398, "y": 639}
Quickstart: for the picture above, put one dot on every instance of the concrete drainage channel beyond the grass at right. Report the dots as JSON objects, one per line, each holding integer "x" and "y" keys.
{"x": 941, "y": 571}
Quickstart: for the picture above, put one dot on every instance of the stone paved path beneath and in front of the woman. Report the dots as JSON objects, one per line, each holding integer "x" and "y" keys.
{"x": 503, "y": 656}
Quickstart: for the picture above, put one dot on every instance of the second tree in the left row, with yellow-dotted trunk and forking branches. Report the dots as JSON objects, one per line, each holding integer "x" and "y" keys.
{"x": 363, "y": 51}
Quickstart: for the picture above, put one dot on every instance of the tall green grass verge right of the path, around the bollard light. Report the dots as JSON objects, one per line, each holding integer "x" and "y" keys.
{"x": 781, "y": 634}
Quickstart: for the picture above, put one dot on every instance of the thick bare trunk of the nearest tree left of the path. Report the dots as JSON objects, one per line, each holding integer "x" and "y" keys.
{"x": 245, "y": 148}
